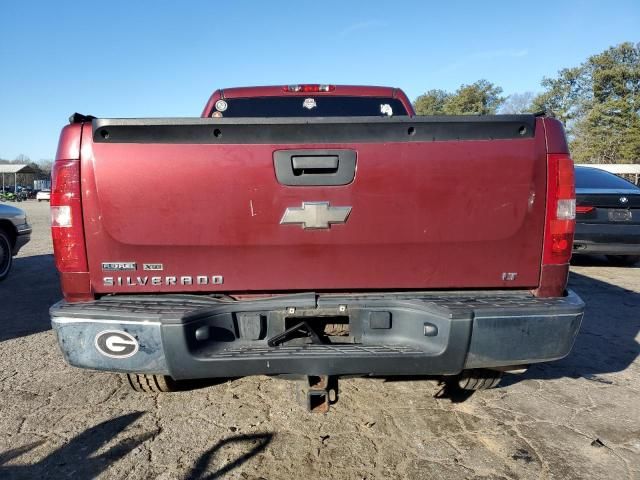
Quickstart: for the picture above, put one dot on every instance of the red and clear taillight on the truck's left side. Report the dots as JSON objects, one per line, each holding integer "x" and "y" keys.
{"x": 66, "y": 217}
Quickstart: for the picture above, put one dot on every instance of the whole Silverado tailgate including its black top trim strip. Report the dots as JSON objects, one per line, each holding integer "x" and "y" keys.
{"x": 435, "y": 203}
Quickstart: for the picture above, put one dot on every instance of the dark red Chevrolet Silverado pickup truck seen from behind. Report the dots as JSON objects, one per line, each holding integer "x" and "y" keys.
{"x": 313, "y": 230}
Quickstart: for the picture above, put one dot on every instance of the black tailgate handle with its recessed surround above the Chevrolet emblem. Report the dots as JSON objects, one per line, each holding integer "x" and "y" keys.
{"x": 310, "y": 167}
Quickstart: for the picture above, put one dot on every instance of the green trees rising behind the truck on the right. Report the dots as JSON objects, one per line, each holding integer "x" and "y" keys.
{"x": 598, "y": 101}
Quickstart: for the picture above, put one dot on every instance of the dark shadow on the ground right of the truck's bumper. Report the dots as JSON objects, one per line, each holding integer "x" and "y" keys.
{"x": 607, "y": 339}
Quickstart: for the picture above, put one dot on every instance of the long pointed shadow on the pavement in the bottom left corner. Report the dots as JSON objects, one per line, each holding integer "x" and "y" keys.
{"x": 76, "y": 458}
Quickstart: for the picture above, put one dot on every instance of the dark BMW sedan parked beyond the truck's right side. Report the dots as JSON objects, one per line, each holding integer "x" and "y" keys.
{"x": 607, "y": 216}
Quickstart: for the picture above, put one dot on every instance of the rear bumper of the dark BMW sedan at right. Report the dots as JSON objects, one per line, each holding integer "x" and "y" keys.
{"x": 607, "y": 239}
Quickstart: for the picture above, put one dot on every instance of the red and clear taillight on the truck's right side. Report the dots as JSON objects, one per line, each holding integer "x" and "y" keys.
{"x": 561, "y": 210}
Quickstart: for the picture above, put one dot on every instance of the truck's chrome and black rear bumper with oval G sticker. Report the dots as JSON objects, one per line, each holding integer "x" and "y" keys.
{"x": 390, "y": 334}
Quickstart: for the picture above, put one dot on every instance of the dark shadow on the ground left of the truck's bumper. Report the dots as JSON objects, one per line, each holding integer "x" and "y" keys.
{"x": 26, "y": 295}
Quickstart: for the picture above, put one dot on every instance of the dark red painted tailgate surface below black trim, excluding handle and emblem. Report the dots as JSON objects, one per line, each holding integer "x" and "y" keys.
{"x": 424, "y": 215}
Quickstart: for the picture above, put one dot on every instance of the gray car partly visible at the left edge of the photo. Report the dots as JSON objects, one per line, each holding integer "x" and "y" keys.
{"x": 15, "y": 232}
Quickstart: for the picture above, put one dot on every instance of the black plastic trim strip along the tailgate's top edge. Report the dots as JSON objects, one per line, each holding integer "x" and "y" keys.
{"x": 314, "y": 130}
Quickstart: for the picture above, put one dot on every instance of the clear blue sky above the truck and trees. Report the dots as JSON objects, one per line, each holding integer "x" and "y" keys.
{"x": 161, "y": 58}
